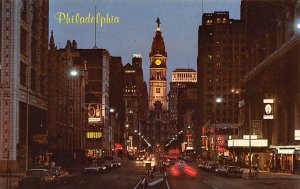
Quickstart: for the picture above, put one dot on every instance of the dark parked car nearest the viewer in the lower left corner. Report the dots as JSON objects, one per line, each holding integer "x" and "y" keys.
{"x": 36, "y": 179}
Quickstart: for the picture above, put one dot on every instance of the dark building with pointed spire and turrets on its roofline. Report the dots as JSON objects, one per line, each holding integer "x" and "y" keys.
{"x": 66, "y": 109}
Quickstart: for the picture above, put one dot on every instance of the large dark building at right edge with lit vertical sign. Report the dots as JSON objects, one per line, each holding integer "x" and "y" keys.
{"x": 271, "y": 88}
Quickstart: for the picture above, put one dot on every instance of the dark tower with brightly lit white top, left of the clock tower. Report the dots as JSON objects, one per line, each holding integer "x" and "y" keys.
{"x": 136, "y": 106}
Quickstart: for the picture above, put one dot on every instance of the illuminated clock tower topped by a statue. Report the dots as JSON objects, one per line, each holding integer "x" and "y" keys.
{"x": 158, "y": 69}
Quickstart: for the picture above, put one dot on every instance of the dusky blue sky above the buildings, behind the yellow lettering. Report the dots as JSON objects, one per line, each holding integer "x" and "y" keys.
{"x": 180, "y": 20}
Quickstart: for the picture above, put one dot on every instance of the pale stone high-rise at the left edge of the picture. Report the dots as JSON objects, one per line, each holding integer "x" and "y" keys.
{"x": 23, "y": 83}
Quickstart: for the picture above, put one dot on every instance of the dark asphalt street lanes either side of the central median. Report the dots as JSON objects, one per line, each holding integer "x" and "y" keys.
{"x": 131, "y": 172}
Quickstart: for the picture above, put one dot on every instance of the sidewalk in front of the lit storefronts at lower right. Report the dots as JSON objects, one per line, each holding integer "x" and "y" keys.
{"x": 271, "y": 175}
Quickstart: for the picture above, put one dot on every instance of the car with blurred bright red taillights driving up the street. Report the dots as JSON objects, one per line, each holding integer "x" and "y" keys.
{"x": 181, "y": 169}
